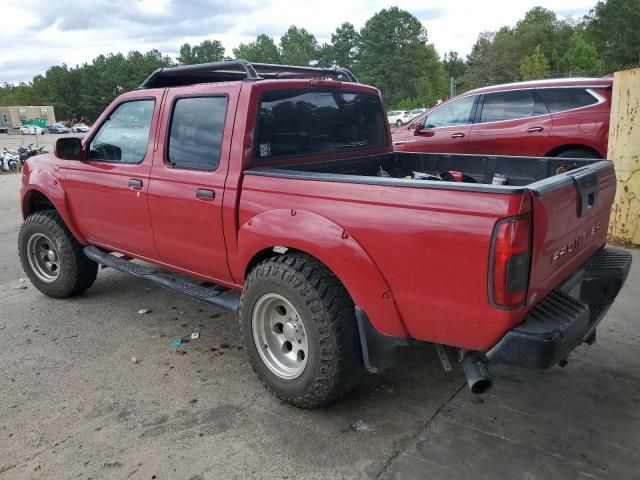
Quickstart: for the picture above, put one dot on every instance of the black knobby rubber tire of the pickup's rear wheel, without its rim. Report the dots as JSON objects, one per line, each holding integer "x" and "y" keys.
{"x": 334, "y": 362}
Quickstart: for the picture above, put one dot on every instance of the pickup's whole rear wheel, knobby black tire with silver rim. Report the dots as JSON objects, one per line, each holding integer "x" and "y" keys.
{"x": 299, "y": 330}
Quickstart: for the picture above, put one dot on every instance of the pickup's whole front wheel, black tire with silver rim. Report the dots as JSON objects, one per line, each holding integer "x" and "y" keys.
{"x": 52, "y": 258}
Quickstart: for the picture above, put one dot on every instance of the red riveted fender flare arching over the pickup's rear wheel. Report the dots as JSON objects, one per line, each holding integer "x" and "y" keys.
{"x": 332, "y": 245}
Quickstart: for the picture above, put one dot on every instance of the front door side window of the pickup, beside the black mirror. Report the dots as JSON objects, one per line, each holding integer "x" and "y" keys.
{"x": 124, "y": 136}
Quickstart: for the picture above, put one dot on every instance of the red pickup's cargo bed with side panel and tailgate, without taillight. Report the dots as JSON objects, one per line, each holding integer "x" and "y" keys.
{"x": 432, "y": 240}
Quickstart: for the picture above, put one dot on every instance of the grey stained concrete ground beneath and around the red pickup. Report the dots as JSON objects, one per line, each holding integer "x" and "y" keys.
{"x": 73, "y": 405}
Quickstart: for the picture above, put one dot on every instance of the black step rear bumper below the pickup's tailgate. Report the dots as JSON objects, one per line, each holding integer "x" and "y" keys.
{"x": 568, "y": 316}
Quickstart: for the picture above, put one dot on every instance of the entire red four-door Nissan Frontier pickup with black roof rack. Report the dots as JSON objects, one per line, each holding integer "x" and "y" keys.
{"x": 281, "y": 182}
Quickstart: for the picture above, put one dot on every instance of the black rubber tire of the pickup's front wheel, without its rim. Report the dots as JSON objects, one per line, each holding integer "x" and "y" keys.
{"x": 76, "y": 272}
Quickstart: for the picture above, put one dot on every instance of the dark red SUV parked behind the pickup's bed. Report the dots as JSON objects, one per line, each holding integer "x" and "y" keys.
{"x": 545, "y": 118}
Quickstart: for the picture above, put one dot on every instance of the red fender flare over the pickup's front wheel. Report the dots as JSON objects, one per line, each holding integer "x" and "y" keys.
{"x": 43, "y": 182}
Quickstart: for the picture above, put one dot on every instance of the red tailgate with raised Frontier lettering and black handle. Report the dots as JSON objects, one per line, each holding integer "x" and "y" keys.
{"x": 570, "y": 220}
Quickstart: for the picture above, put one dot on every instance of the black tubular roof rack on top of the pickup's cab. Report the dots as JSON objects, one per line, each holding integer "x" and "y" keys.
{"x": 233, "y": 70}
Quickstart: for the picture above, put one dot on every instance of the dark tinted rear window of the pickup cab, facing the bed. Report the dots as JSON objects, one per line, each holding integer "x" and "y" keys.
{"x": 306, "y": 122}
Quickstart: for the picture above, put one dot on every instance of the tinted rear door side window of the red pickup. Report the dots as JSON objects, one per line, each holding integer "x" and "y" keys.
{"x": 195, "y": 138}
